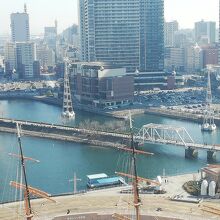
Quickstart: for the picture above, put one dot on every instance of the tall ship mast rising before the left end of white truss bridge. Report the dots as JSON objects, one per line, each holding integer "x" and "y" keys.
{"x": 135, "y": 179}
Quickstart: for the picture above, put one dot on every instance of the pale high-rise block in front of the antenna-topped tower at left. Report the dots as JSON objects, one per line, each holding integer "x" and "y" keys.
{"x": 26, "y": 55}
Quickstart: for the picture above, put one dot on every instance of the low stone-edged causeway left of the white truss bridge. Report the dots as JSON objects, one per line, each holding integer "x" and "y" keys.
{"x": 63, "y": 133}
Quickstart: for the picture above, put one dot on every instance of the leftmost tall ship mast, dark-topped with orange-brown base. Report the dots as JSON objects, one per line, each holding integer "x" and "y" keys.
{"x": 26, "y": 191}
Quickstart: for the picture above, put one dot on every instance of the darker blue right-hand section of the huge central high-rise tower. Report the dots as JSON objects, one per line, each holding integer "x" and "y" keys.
{"x": 151, "y": 35}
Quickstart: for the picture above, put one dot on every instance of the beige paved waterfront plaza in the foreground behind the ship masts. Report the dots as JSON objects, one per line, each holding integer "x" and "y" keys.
{"x": 108, "y": 202}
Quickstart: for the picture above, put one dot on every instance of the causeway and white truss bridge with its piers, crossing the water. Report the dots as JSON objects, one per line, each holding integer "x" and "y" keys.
{"x": 149, "y": 133}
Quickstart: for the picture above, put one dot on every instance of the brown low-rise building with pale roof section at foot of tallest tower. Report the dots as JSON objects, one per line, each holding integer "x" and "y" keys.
{"x": 100, "y": 85}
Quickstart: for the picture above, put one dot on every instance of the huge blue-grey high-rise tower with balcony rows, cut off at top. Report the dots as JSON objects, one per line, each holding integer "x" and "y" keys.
{"x": 125, "y": 33}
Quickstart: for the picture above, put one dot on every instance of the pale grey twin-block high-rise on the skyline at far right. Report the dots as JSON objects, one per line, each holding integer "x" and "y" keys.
{"x": 205, "y": 32}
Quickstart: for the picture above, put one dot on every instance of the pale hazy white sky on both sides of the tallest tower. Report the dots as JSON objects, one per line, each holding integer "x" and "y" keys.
{"x": 43, "y": 12}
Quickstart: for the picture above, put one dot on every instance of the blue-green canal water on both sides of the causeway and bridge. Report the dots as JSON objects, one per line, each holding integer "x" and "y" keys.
{"x": 59, "y": 160}
